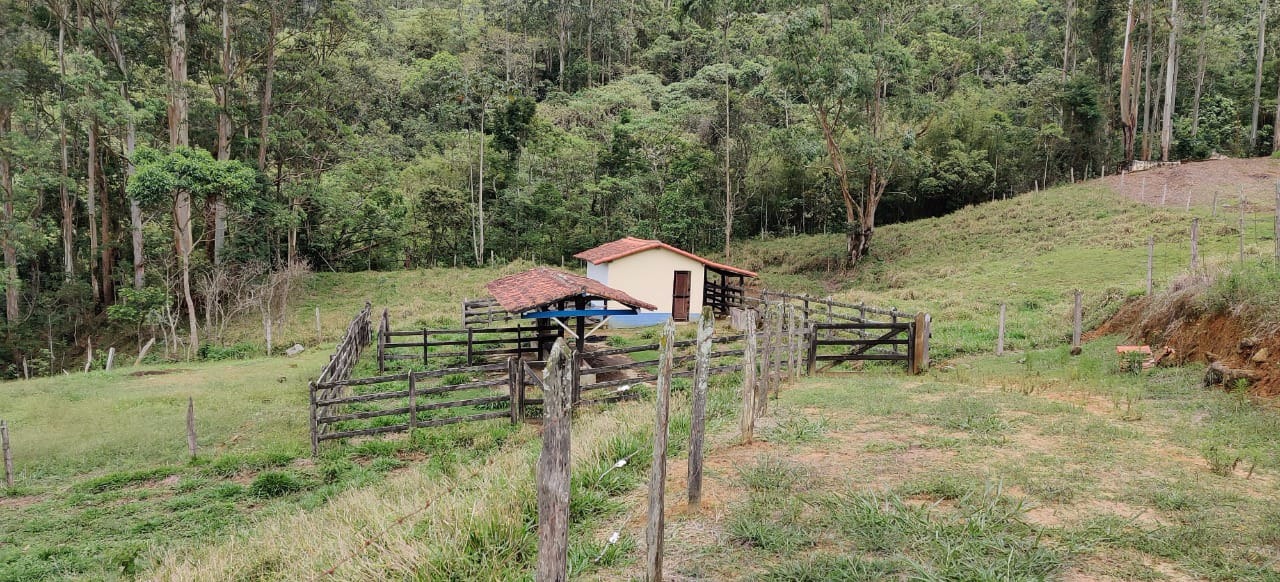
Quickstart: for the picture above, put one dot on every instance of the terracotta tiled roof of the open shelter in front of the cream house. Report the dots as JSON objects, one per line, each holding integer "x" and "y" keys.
{"x": 541, "y": 287}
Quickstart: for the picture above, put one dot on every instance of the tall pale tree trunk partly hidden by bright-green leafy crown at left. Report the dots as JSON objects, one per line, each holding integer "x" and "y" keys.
{"x": 179, "y": 138}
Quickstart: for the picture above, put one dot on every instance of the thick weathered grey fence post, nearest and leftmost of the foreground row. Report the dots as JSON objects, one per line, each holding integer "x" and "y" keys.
{"x": 554, "y": 470}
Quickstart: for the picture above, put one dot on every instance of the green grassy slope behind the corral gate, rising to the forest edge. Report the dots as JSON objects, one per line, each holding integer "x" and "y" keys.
{"x": 1030, "y": 253}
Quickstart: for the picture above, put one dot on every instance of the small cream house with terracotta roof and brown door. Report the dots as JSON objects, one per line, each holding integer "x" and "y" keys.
{"x": 675, "y": 281}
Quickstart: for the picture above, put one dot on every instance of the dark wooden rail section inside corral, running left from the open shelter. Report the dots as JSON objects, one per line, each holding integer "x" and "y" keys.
{"x": 459, "y": 347}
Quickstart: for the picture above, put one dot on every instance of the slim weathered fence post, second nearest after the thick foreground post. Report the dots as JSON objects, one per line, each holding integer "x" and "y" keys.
{"x": 659, "y": 470}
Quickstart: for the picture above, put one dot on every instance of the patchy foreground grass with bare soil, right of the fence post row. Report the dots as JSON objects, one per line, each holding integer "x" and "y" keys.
{"x": 1028, "y": 468}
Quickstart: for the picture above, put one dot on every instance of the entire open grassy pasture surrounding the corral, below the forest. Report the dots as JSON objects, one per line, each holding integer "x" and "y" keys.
{"x": 1030, "y": 466}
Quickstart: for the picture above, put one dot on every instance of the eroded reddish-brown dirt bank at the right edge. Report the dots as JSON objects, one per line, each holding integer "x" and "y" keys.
{"x": 1201, "y": 338}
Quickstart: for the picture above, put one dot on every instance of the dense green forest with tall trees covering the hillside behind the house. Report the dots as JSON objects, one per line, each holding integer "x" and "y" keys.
{"x": 170, "y": 164}
